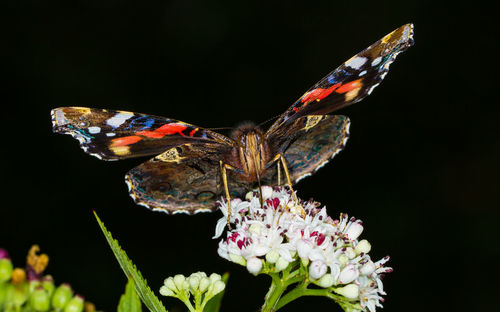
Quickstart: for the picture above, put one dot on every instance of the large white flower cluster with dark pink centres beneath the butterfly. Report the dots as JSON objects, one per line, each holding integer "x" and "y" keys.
{"x": 276, "y": 234}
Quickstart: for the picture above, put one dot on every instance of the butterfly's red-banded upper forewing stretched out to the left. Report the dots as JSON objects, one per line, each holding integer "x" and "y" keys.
{"x": 112, "y": 135}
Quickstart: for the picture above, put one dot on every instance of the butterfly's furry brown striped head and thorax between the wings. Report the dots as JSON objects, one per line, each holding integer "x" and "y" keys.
{"x": 251, "y": 152}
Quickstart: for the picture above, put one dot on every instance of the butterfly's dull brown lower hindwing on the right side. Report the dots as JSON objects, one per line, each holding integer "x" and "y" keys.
{"x": 316, "y": 139}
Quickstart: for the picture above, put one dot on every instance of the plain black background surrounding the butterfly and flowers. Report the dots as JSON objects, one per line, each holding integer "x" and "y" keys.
{"x": 421, "y": 168}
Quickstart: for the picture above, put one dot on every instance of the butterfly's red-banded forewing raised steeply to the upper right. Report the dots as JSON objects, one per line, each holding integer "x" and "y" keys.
{"x": 349, "y": 83}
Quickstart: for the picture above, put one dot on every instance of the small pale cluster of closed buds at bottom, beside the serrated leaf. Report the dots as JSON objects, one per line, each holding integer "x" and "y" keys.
{"x": 201, "y": 287}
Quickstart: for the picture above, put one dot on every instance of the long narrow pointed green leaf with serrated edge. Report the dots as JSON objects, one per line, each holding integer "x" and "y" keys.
{"x": 145, "y": 293}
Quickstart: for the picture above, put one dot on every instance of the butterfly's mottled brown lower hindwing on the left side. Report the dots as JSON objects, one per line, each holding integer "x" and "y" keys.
{"x": 183, "y": 179}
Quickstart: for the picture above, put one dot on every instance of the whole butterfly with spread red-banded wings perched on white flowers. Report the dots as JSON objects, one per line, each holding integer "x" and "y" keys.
{"x": 193, "y": 165}
